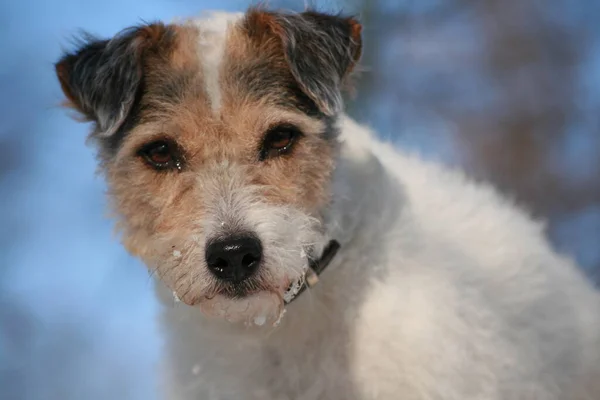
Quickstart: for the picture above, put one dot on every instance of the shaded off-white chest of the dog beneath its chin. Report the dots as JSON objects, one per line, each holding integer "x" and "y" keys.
{"x": 308, "y": 360}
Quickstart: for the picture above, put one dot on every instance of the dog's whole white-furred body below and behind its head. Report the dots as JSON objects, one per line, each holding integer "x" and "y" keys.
{"x": 442, "y": 290}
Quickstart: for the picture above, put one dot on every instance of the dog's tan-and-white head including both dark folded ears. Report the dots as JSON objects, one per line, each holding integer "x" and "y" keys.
{"x": 217, "y": 138}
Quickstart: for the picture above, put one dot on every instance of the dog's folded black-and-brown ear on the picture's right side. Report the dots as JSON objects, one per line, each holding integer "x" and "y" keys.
{"x": 321, "y": 50}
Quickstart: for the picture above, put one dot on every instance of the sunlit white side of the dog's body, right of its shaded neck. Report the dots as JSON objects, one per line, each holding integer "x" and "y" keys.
{"x": 472, "y": 271}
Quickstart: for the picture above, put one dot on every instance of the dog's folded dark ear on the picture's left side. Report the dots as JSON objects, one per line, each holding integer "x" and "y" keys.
{"x": 101, "y": 78}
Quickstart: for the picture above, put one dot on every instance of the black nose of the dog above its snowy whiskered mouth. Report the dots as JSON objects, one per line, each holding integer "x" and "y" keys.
{"x": 235, "y": 258}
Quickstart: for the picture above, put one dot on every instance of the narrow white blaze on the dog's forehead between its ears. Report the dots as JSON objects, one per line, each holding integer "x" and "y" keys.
{"x": 213, "y": 29}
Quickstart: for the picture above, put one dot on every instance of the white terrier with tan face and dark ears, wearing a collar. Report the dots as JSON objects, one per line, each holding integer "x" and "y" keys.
{"x": 297, "y": 255}
